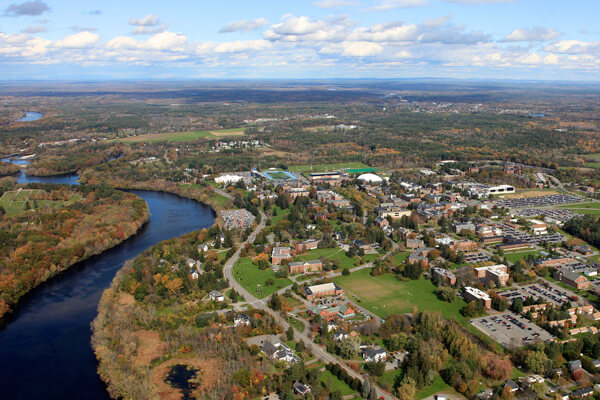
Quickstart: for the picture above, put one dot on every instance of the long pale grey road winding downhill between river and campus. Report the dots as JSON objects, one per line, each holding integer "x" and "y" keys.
{"x": 317, "y": 351}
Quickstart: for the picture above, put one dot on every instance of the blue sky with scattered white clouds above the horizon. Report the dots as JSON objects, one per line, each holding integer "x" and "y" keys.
{"x": 319, "y": 39}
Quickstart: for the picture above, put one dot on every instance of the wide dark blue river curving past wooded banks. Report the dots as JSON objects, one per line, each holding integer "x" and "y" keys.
{"x": 45, "y": 350}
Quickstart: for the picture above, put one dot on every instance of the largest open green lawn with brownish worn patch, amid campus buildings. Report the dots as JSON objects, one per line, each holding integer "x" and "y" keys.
{"x": 385, "y": 295}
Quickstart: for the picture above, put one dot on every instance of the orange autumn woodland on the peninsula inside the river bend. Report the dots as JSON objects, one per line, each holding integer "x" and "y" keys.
{"x": 44, "y": 240}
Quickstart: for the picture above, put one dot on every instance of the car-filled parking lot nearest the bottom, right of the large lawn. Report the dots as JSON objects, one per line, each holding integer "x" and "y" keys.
{"x": 511, "y": 330}
